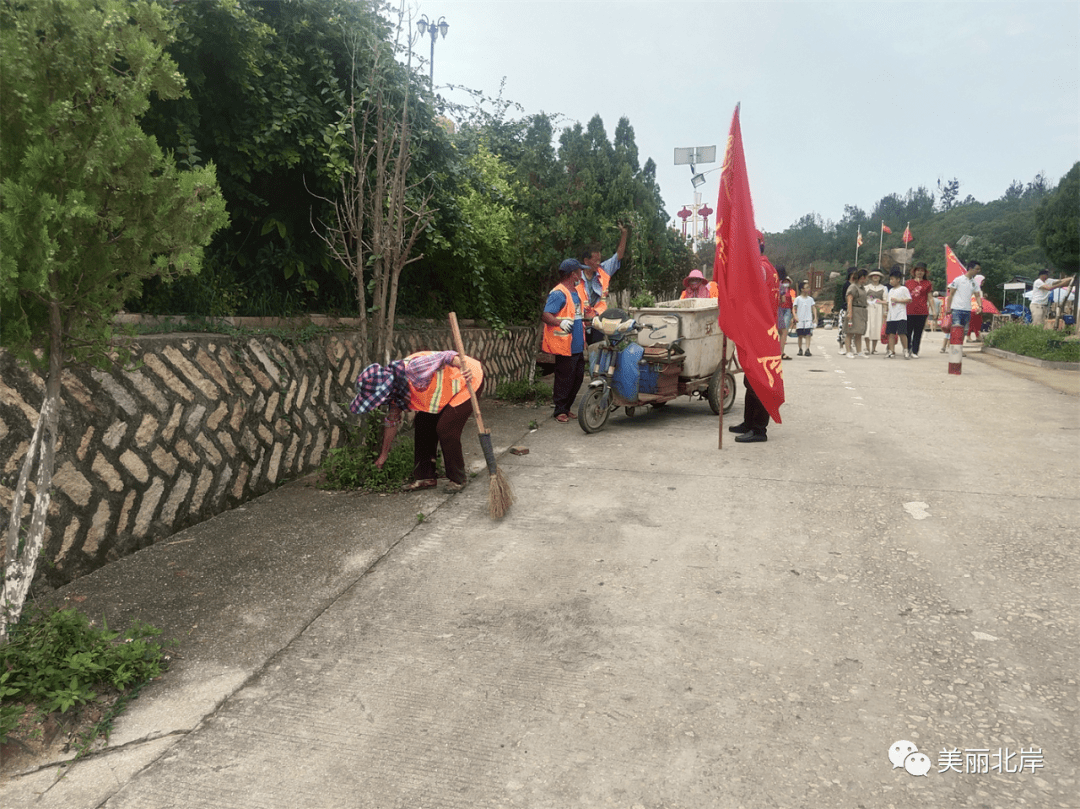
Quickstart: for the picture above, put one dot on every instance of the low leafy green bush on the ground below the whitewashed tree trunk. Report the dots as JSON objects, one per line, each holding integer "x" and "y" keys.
{"x": 56, "y": 660}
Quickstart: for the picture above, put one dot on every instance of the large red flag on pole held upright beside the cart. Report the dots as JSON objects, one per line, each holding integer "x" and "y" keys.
{"x": 748, "y": 286}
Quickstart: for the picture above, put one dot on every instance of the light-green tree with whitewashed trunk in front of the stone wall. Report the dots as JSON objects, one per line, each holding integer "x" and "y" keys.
{"x": 90, "y": 207}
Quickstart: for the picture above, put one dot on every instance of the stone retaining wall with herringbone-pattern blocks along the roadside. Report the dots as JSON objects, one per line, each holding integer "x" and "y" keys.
{"x": 201, "y": 424}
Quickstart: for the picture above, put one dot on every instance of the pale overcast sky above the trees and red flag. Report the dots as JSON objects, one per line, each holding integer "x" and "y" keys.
{"x": 843, "y": 103}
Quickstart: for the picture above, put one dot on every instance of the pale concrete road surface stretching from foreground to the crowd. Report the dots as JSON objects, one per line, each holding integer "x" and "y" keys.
{"x": 876, "y": 609}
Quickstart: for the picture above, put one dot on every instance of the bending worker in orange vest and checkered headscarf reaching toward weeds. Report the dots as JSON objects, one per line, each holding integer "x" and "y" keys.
{"x": 434, "y": 385}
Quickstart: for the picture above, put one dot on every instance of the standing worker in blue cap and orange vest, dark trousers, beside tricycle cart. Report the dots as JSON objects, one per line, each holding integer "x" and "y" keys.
{"x": 564, "y": 336}
